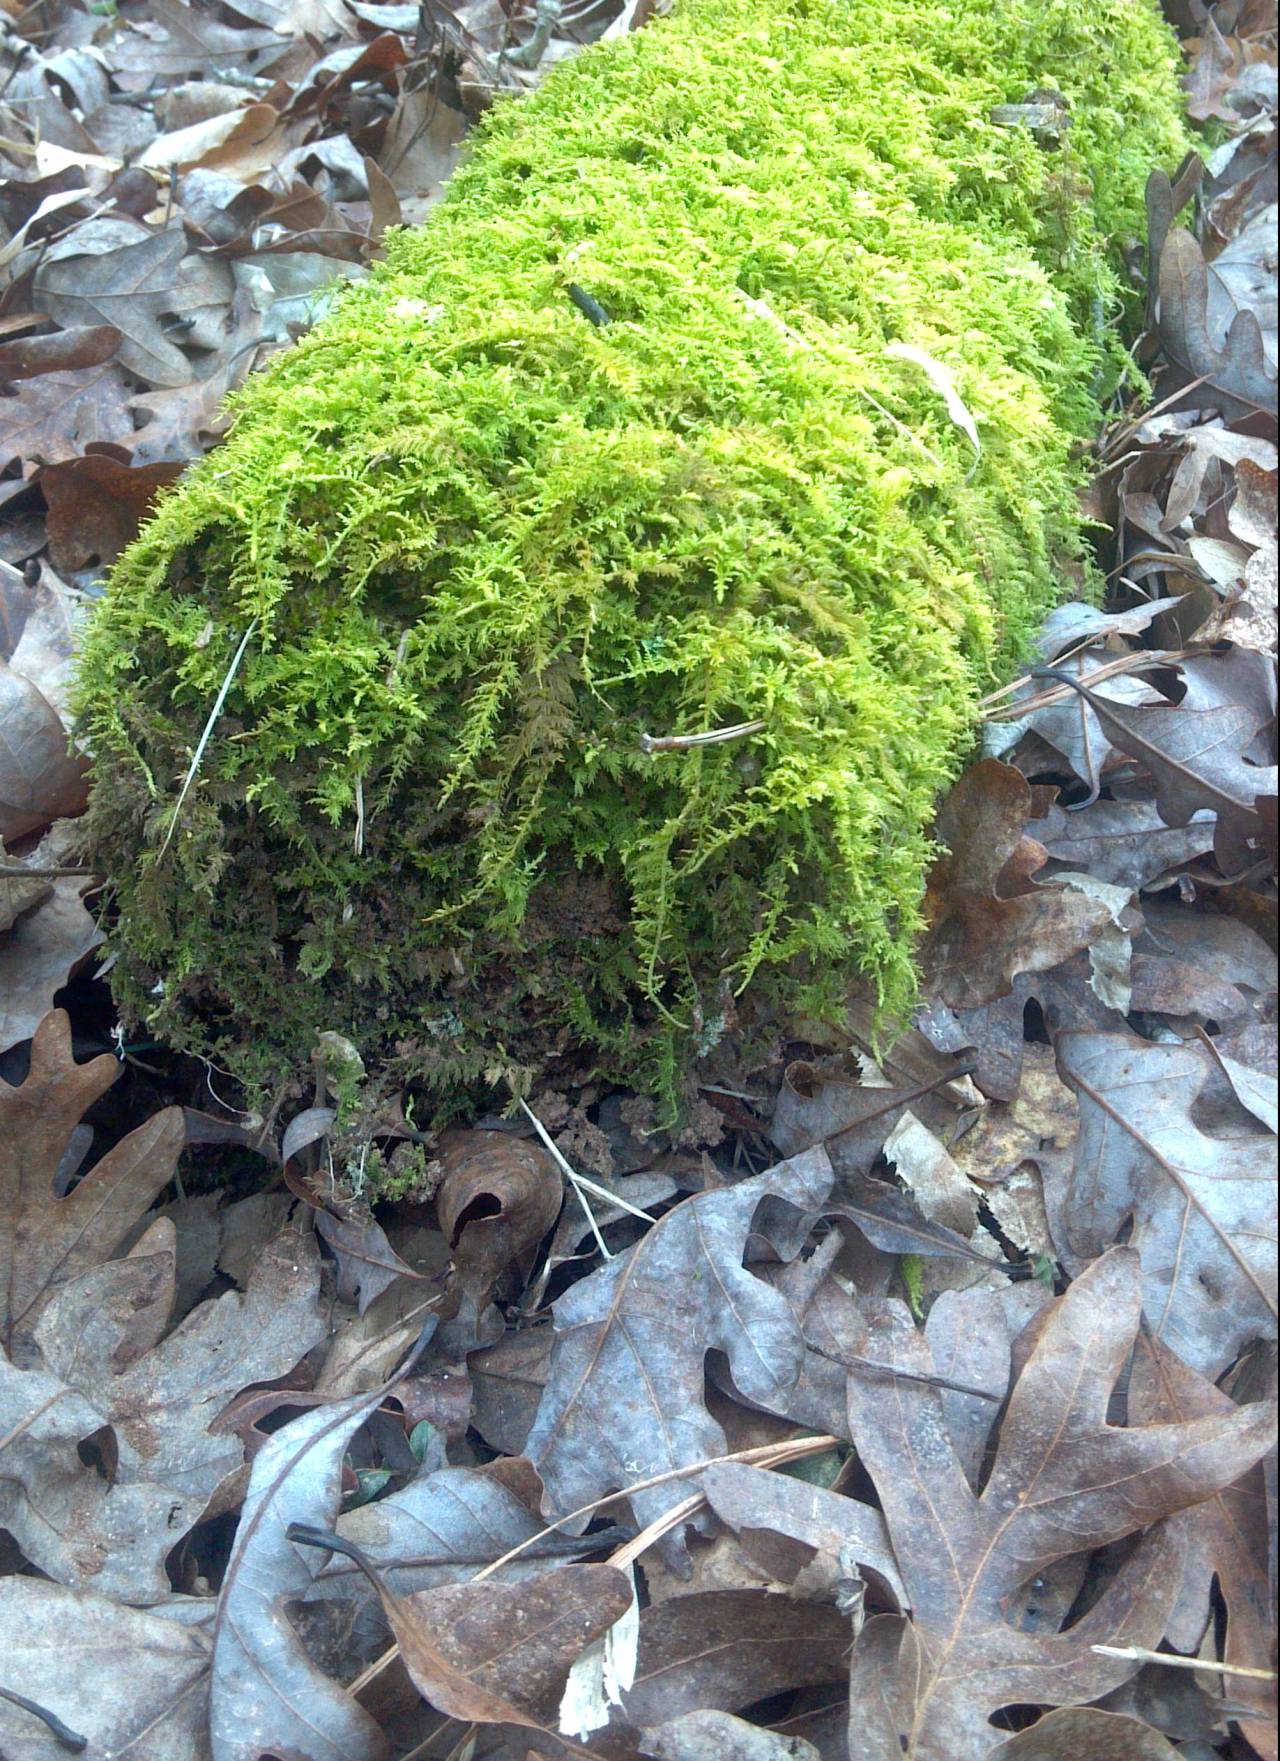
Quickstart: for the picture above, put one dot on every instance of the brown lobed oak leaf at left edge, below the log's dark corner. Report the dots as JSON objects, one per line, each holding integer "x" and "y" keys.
{"x": 48, "y": 1241}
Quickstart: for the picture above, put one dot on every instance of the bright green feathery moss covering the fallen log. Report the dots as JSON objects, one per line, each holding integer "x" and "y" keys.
{"x": 485, "y": 547}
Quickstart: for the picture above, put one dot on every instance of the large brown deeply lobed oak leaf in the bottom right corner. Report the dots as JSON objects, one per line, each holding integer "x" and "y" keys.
{"x": 1064, "y": 1482}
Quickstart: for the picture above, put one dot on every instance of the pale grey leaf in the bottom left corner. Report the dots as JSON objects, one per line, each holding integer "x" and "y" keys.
{"x": 129, "y": 1681}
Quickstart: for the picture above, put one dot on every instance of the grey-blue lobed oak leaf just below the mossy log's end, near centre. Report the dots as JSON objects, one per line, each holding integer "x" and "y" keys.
{"x": 626, "y": 1396}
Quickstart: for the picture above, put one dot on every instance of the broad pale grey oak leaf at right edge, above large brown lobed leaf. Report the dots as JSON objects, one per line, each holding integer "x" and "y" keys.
{"x": 1202, "y": 1207}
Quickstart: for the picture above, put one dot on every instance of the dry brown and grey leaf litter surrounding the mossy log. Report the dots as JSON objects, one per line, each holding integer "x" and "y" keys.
{"x": 927, "y": 1389}
